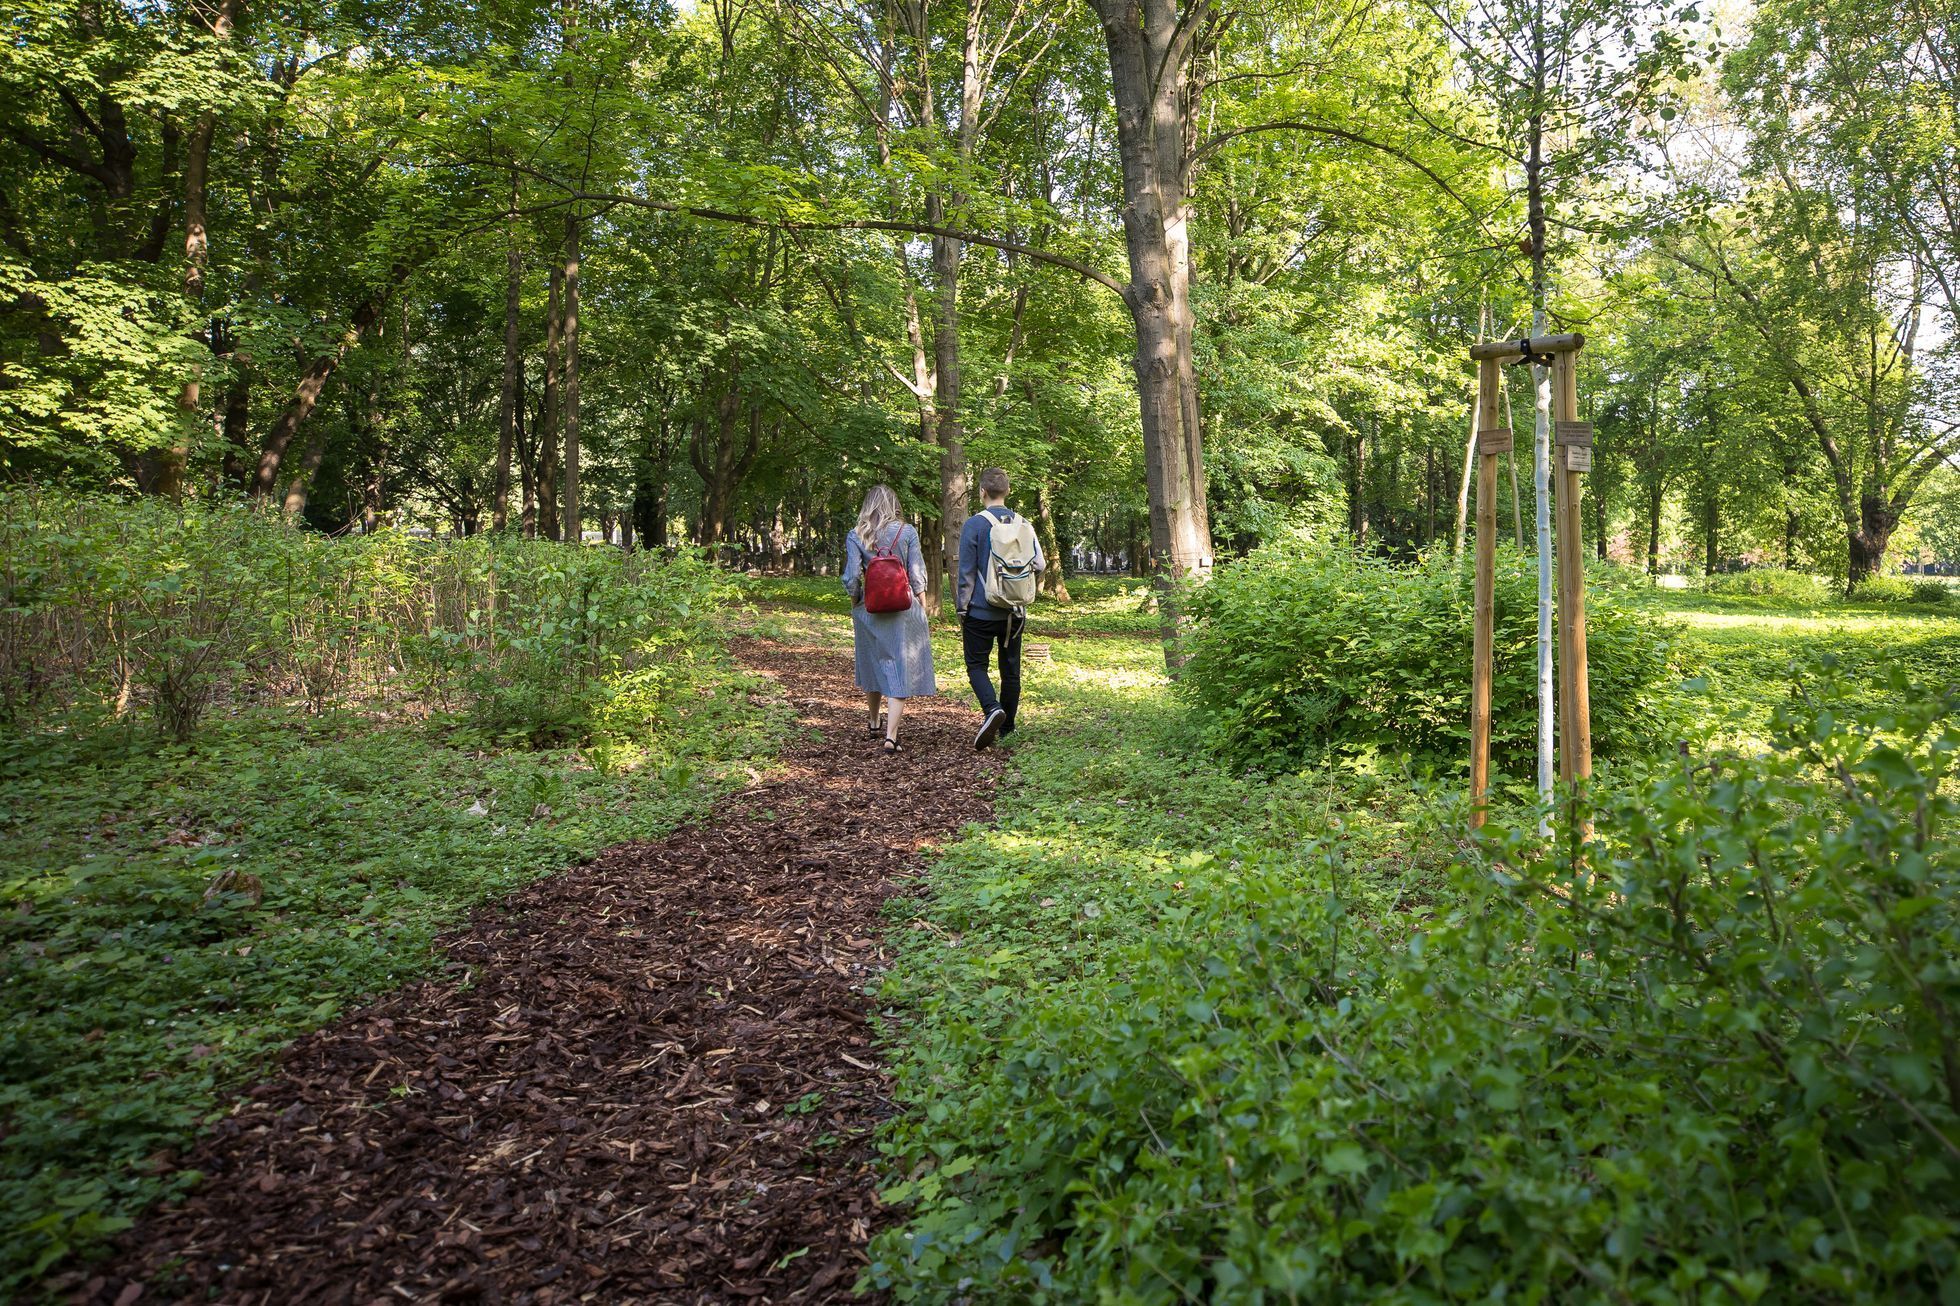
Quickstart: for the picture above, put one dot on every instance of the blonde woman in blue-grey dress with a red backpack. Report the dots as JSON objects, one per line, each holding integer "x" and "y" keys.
{"x": 895, "y": 652}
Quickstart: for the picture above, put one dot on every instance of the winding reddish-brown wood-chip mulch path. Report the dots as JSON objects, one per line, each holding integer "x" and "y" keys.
{"x": 648, "y": 1080}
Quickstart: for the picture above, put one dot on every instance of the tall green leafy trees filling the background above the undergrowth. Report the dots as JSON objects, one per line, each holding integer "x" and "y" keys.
{"x": 1199, "y": 276}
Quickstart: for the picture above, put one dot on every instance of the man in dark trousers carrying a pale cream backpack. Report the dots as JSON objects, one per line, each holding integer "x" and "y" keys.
{"x": 1001, "y": 550}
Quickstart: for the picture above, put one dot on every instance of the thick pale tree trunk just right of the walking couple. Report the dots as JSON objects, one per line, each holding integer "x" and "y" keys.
{"x": 1150, "y": 52}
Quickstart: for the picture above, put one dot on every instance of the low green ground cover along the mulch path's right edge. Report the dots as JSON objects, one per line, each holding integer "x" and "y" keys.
{"x": 1112, "y": 827}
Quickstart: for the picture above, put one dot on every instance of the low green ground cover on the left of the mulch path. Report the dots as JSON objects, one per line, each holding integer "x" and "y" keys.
{"x": 175, "y": 913}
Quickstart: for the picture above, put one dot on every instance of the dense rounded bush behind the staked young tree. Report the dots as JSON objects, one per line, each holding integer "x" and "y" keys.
{"x": 1300, "y": 652}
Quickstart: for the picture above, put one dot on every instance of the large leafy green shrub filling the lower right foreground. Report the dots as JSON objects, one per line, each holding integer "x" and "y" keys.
{"x": 1720, "y": 1070}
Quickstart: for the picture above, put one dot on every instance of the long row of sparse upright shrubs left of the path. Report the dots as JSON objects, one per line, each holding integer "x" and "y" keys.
{"x": 175, "y": 609}
